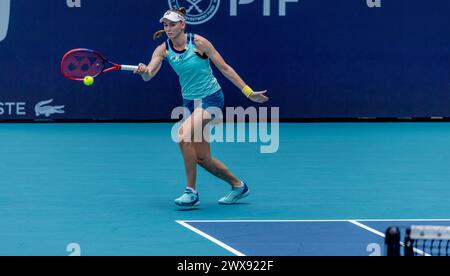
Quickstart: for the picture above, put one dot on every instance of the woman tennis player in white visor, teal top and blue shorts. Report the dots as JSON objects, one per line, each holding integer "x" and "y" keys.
{"x": 190, "y": 55}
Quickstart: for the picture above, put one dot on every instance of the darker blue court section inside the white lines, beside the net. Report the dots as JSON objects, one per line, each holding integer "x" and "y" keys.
{"x": 302, "y": 237}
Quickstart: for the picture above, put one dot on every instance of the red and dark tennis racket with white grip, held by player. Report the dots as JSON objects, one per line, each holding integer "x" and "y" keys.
{"x": 79, "y": 63}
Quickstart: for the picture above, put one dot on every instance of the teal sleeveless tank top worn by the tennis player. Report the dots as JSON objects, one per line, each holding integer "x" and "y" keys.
{"x": 194, "y": 71}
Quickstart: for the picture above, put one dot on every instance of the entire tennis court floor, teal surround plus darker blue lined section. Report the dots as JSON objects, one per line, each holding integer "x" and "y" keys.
{"x": 108, "y": 188}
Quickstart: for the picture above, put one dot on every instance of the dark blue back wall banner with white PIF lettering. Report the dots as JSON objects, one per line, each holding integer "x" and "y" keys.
{"x": 317, "y": 58}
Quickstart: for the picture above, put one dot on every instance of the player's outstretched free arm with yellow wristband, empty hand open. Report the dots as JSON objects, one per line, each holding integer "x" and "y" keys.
{"x": 206, "y": 47}
